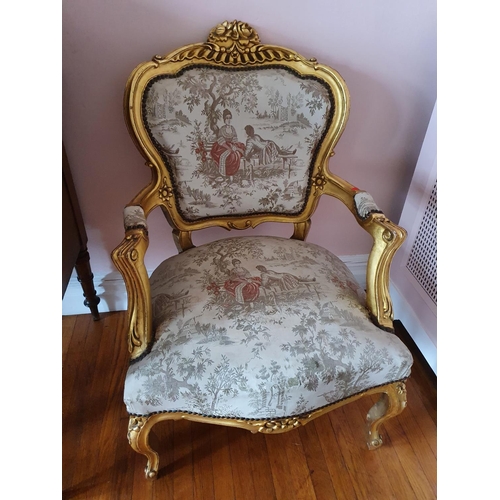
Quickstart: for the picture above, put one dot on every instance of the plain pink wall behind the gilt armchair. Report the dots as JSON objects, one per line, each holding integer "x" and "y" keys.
{"x": 384, "y": 49}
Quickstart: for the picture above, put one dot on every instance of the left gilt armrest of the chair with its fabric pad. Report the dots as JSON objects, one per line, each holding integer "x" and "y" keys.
{"x": 128, "y": 257}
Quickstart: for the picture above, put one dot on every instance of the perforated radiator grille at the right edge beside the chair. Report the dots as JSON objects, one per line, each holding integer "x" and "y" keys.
{"x": 422, "y": 262}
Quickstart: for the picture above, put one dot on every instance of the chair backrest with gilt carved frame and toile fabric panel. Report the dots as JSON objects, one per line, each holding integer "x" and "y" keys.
{"x": 236, "y": 132}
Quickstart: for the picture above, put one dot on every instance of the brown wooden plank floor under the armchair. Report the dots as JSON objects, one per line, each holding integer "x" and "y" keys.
{"x": 325, "y": 459}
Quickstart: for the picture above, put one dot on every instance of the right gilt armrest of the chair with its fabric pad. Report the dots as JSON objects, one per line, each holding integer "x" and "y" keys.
{"x": 387, "y": 238}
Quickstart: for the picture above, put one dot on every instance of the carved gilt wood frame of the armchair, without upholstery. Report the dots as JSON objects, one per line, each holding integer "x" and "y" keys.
{"x": 236, "y": 45}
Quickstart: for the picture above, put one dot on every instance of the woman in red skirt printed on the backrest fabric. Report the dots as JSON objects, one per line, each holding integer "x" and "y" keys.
{"x": 227, "y": 151}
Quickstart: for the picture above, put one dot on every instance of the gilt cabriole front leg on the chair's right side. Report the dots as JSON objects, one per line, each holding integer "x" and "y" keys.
{"x": 391, "y": 403}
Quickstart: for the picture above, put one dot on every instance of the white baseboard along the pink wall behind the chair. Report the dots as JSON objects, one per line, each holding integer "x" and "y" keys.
{"x": 111, "y": 289}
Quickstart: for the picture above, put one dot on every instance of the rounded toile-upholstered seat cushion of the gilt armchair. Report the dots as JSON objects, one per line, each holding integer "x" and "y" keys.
{"x": 266, "y": 328}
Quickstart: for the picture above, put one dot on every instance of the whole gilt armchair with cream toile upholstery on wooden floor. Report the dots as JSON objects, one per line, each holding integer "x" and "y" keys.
{"x": 259, "y": 332}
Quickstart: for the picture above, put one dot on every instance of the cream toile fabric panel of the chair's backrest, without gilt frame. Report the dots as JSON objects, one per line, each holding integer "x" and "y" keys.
{"x": 232, "y": 137}
